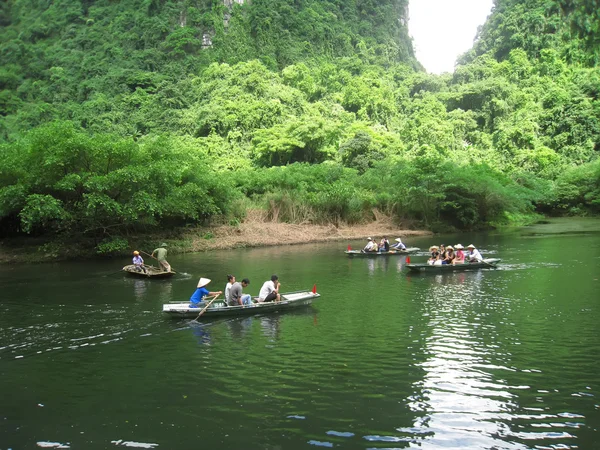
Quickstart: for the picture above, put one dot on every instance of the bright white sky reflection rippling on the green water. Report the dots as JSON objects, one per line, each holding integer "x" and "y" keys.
{"x": 458, "y": 398}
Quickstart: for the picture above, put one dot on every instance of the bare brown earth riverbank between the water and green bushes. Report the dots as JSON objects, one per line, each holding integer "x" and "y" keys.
{"x": 253, "y": 233}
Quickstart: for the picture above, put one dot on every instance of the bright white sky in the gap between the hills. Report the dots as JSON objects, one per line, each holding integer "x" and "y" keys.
{"x": 444, "y": 29}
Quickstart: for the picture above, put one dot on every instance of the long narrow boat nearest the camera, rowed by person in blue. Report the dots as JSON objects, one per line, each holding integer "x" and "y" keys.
{"x": 219, "y": 309}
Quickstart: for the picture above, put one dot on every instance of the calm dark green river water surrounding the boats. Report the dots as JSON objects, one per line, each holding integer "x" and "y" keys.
{"x": 506, "y": 358}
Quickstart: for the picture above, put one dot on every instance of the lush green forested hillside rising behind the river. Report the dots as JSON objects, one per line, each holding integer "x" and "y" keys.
{"x": 135, "y": 115}
